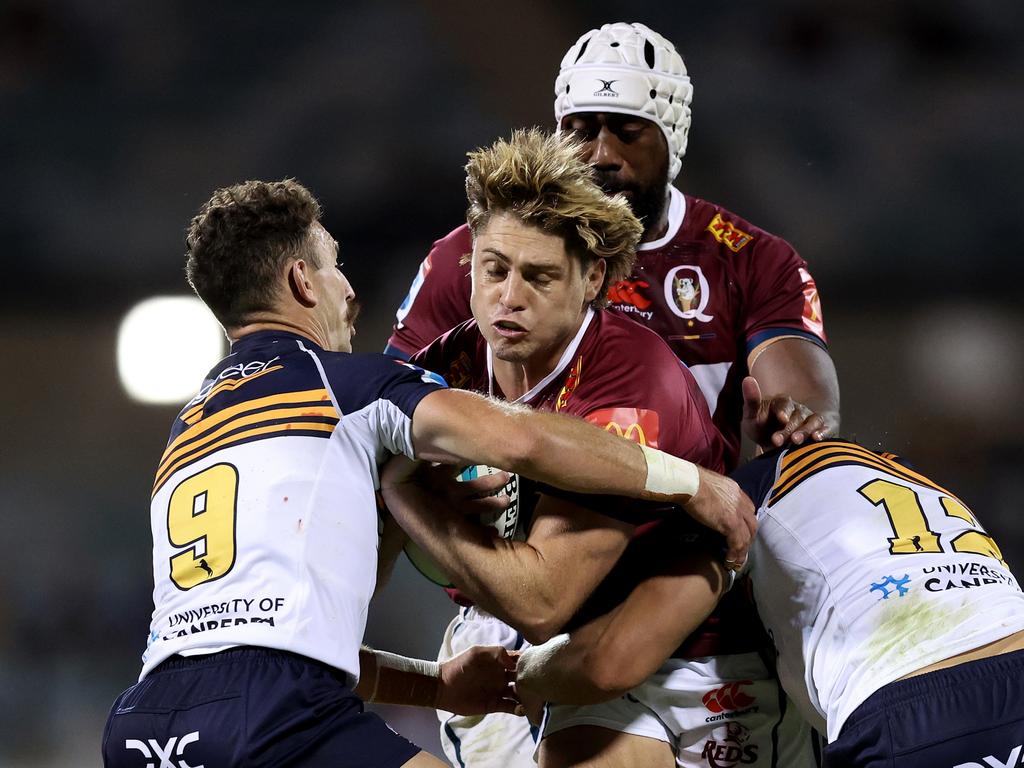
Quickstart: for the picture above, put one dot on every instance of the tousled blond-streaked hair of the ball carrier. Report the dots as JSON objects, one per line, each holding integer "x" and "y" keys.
{"x": 543, "y": 181}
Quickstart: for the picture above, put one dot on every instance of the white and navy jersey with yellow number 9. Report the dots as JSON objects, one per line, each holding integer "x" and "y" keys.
{"x": 264, "y": 514}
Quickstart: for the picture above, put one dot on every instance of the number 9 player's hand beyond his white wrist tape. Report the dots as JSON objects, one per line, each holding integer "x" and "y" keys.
{"x": 722, "y": 506}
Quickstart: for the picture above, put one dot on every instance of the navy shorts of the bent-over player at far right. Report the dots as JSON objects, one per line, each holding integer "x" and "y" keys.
{"x": 969, "y": 716}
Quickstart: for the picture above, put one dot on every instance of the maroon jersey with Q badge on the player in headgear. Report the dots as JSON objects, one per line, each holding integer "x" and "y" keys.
{"x": 716, "y": 288}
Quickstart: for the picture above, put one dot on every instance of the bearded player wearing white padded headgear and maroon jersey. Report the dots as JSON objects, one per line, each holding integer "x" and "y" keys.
{"x": 729, "y": 297}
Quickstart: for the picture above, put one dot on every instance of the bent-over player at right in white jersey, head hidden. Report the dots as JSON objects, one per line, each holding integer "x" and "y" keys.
{"x": 900, "y": 630}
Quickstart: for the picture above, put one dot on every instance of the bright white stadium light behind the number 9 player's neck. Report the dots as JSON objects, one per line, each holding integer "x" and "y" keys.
{"x": 165, "y": 348}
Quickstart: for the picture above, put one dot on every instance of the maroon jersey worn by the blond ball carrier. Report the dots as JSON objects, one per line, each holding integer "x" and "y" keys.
{"x": 624, "y": 378}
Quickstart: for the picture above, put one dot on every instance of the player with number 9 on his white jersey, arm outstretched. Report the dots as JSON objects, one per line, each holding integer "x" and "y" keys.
{"x": 264, "y": 516}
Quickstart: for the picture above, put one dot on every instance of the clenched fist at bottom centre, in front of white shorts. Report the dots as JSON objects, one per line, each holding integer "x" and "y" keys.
{"x": 478, "y": 681}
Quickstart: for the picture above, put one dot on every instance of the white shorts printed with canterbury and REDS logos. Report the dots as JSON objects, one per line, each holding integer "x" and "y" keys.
{"x": 715, "y": 712}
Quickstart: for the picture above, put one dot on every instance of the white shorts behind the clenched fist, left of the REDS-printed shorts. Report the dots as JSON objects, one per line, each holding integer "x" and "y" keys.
{"x": 498, "y": 741}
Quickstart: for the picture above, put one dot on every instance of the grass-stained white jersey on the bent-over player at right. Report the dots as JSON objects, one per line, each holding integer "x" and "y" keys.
{"x": 864, "y": 571}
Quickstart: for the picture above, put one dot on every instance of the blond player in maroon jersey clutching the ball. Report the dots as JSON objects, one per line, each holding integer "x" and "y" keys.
{"x": 541, "y": 265}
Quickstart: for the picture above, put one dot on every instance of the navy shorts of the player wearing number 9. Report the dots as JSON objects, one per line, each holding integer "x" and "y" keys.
{"x": 247, "y": 707}
